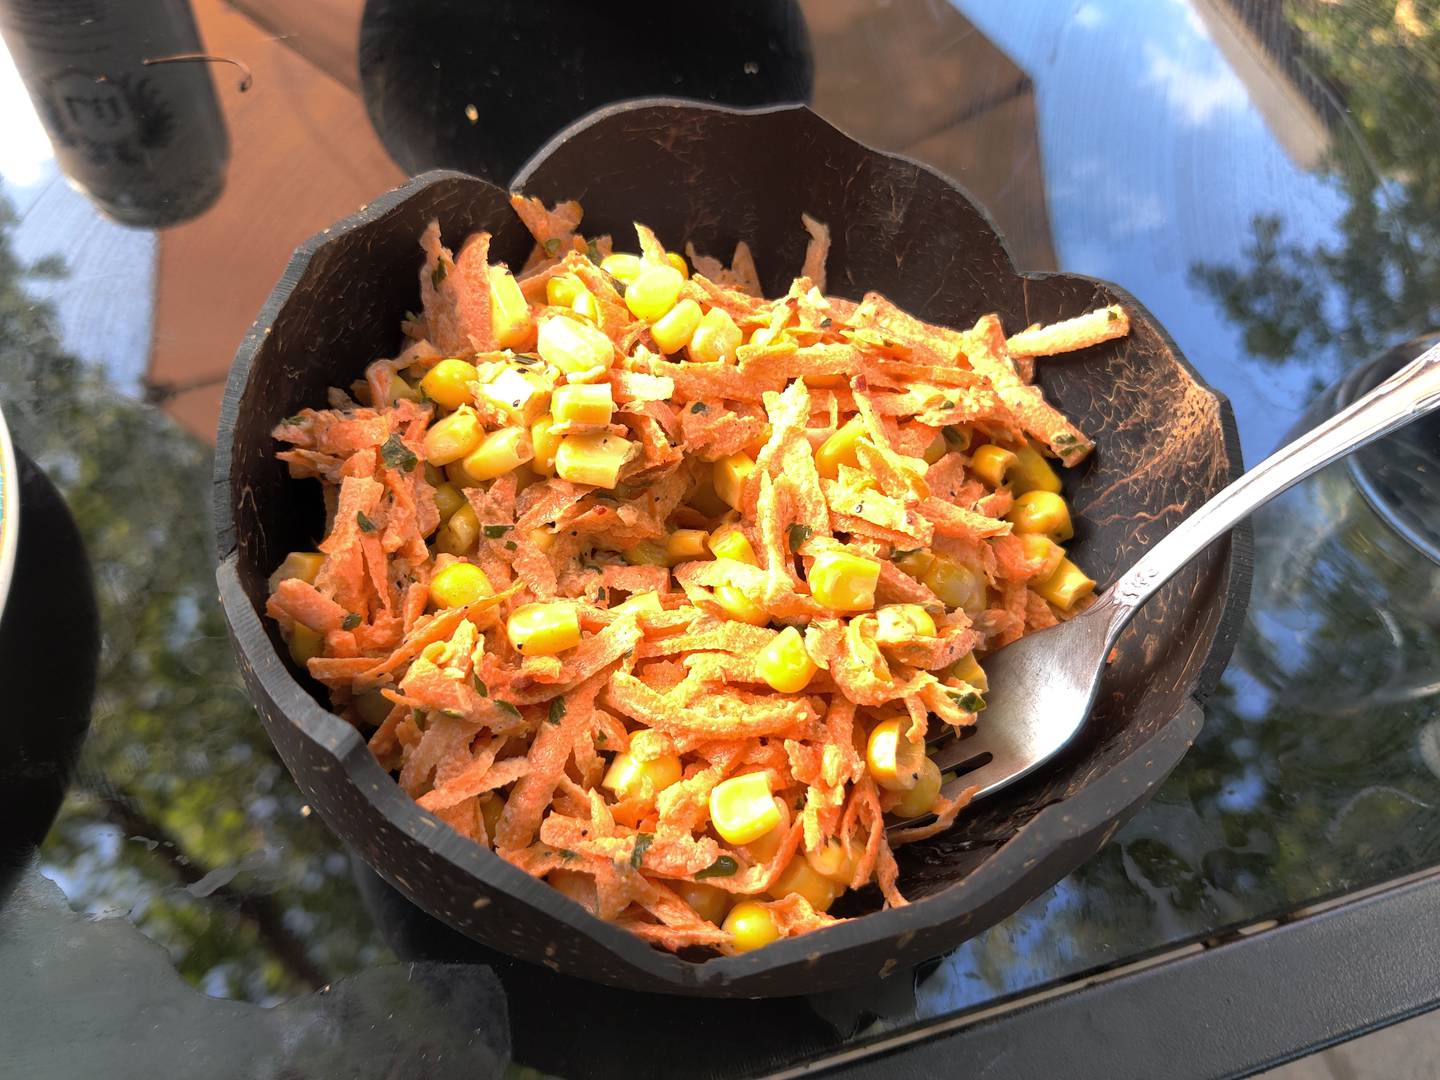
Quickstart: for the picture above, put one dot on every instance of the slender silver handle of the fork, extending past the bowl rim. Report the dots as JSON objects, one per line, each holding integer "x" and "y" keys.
{"x": 1408, "y": 395}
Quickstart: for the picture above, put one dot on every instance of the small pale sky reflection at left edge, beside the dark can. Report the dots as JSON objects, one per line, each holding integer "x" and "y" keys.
{"x": 106, "y": 303}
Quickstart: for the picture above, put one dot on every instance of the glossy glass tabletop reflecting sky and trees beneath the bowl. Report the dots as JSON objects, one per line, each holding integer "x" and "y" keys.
{"x": 1258, "y": 175}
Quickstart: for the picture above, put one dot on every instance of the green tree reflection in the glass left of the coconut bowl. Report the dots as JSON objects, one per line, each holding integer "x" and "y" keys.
{"x": 178, "y": 778}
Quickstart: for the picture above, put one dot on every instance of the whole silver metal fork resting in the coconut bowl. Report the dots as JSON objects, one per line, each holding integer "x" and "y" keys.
{"x": 1045, "y": 685}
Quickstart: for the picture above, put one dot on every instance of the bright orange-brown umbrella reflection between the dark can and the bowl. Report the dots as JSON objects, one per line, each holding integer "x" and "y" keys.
{"x": 303, "y": 156}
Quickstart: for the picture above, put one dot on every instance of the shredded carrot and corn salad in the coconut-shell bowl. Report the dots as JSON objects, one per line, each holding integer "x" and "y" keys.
{"x": 659, "y": 588}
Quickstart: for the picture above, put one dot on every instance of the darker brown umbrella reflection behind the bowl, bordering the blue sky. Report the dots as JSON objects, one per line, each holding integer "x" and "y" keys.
{"x": 918, "y": 78}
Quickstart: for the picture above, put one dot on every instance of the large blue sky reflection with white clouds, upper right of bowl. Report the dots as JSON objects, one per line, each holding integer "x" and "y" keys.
{"x": 1156, "y": 158}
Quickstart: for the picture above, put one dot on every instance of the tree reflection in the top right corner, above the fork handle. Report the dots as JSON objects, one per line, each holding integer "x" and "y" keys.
{"x": 1380, "y": 282}
